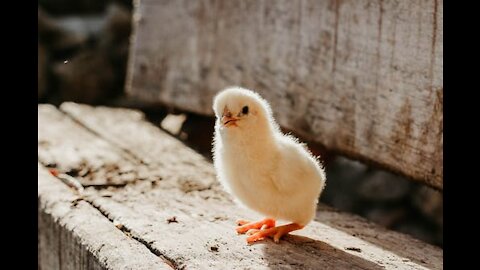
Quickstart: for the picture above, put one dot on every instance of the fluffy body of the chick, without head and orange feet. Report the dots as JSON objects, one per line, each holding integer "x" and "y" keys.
{"x": 283, "y": 182}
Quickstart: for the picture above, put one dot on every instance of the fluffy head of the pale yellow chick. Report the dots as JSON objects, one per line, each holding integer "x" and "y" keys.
{"x": 239, "y": 108}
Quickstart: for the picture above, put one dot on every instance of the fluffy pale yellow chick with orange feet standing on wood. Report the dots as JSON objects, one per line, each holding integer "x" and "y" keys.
{"x": 264, "y": 169}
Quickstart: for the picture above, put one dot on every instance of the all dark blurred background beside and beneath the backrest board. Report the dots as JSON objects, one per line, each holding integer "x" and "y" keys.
{"x": 83, "y": 51}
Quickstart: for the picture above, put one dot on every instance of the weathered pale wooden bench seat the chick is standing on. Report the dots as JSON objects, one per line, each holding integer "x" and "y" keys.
{"x": 150, "y": 202}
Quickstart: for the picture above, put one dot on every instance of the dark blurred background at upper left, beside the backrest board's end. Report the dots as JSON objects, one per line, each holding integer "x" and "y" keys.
{"x": 82, "y": 50}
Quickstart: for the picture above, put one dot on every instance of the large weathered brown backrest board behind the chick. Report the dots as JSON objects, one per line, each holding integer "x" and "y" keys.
{"x": 361, "y": 77}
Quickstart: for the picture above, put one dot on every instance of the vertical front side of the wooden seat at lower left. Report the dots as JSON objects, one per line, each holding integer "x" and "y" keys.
{"x": 78, "y": 236}
